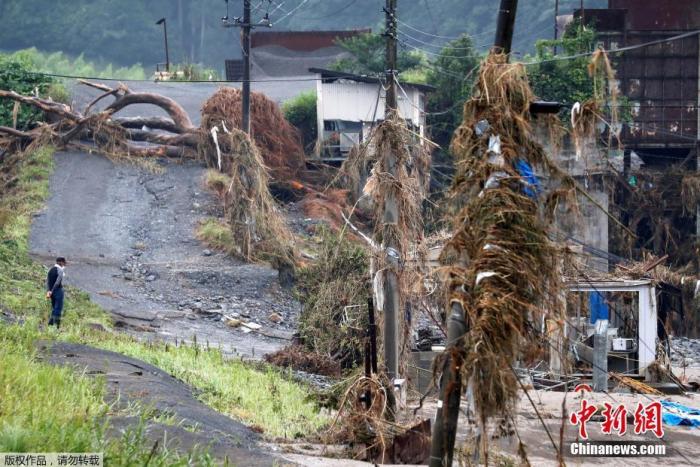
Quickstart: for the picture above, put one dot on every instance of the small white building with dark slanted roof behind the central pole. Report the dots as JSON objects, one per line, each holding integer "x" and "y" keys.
{"x": 348, "y": 106}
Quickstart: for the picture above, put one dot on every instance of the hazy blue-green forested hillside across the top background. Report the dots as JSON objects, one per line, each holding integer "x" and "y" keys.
{"x": 116, "y": 32}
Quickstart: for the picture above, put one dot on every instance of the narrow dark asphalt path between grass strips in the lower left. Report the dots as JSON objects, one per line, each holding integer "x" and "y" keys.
{"x": 129, "y": 380}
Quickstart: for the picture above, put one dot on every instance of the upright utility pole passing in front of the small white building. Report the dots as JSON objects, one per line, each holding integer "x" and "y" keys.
{"x": 392, "y": 297}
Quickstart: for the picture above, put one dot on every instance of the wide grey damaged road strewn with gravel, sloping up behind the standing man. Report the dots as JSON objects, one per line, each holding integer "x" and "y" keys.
{"x": 129, "y": 236}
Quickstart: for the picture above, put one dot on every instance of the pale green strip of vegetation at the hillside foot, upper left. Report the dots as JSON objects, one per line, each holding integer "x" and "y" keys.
{"x": 61, "y": 64}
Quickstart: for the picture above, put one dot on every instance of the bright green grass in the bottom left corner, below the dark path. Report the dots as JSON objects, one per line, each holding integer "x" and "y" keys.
{"x": 47, "y": 408}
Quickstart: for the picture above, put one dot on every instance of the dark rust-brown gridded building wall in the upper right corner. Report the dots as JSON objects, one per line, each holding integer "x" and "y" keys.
{"x": 660, "y": 80}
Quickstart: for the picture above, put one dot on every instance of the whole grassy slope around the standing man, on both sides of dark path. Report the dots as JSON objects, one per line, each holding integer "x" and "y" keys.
{"x": 260, "y": 397}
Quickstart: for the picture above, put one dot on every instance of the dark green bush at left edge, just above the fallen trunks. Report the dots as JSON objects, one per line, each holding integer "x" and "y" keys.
{"x": 15, "y": 76}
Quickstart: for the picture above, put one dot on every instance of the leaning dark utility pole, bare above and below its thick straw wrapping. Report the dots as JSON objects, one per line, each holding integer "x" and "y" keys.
{"x": 450, "y": 392}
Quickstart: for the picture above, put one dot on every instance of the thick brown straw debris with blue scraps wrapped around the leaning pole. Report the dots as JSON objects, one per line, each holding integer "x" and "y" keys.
{"x": 502, "y": 267}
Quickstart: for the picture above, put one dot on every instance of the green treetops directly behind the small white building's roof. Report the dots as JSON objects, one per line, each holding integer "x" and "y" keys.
{"x": 368, "y": 53}
